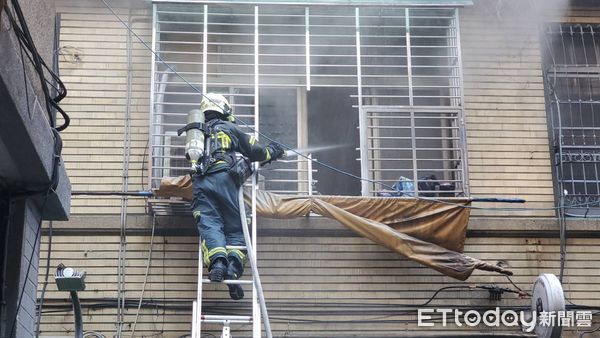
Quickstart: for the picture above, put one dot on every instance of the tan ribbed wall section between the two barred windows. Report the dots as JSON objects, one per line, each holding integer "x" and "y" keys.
{"x": 507, "y": 135}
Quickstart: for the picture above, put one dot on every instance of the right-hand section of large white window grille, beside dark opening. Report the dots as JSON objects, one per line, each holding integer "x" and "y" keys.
{"x": 412, "y": 101}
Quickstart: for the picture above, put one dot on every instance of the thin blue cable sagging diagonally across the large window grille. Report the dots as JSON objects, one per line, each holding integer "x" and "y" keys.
{"x": 326, "y": 165}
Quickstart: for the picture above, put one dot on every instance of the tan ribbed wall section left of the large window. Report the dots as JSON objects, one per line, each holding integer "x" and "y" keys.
{"x": 93, "y": 66}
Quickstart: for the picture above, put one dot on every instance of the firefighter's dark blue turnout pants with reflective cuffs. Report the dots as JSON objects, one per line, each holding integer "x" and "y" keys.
{"x": 216, "y": 210}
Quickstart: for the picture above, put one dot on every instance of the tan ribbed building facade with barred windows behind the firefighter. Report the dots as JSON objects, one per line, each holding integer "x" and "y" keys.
{"x": 458, "y": 99}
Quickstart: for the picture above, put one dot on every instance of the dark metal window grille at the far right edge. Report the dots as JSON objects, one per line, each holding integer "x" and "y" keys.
{"x": 572, "y": 73}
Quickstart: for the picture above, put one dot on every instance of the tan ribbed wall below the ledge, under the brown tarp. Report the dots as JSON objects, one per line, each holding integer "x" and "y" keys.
{"x": 326, "y": 286}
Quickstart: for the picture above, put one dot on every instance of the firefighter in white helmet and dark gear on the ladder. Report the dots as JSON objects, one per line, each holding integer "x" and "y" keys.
{"x": 215, "y": 204}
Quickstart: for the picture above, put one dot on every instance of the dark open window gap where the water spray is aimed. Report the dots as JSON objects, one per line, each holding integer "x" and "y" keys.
{"x": 332, "y": 121}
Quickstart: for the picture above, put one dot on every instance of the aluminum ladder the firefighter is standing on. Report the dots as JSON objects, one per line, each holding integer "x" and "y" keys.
{"x": 227, "y": 320}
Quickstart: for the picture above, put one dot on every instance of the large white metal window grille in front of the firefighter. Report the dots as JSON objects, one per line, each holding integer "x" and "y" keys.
{"x": 404, "y": 65}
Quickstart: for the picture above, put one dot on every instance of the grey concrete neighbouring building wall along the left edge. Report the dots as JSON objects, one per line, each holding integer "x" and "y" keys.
{"x": 26, "y": 168}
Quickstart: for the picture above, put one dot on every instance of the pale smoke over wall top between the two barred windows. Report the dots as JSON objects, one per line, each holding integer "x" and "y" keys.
{"x": 508, "y": 35}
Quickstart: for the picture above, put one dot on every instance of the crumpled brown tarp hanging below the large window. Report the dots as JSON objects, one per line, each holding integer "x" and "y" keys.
{"x": 427, "y": 232}
